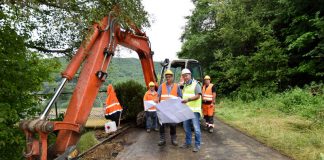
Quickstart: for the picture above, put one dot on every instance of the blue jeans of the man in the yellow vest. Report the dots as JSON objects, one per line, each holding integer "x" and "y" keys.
{"x": 196, "y": 125}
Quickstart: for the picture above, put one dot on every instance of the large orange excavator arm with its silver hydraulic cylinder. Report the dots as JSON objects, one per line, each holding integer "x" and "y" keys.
{"x": 95, "y": 54}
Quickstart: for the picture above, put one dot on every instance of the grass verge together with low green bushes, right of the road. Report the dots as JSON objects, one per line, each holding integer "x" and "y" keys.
{"x": 291, "y": 121}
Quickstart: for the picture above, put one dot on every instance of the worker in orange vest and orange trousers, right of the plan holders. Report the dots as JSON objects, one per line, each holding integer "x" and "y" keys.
{"x": 208, "y": 100}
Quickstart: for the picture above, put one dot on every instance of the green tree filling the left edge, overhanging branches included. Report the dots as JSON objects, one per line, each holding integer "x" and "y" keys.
{"x": 33, "y": 30}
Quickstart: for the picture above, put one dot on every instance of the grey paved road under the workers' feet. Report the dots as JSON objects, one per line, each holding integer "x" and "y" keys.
{"x": 224, "y": 144}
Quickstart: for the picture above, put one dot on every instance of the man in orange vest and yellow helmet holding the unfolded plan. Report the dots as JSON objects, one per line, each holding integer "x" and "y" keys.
{"x": 168, "y": 90}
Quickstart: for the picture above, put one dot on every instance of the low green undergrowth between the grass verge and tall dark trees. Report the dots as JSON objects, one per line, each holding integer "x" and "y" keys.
{"x": 307, "y": 102}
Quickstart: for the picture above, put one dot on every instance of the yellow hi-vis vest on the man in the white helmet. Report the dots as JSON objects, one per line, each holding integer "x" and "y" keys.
{"x": 189, "y": 91}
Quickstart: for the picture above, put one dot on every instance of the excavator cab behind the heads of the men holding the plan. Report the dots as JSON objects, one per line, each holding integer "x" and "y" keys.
{"x": 178, "y": 65}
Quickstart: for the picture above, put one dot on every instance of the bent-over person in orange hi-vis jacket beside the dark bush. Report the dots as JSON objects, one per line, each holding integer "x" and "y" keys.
{"x": 113, "y": 108}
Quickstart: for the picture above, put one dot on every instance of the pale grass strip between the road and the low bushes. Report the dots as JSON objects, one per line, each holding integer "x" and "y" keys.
{"x": 292, "y": 135}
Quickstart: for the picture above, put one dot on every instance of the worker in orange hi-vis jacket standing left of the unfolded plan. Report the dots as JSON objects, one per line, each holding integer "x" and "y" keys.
{"x": 150, "y": 113}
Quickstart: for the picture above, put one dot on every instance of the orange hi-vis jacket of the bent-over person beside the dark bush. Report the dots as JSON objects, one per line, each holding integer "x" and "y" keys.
{"x": 112, "y": 103}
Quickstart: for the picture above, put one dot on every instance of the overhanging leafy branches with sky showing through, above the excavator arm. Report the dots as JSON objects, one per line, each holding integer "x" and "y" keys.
{"x": 63, "y": 24}
